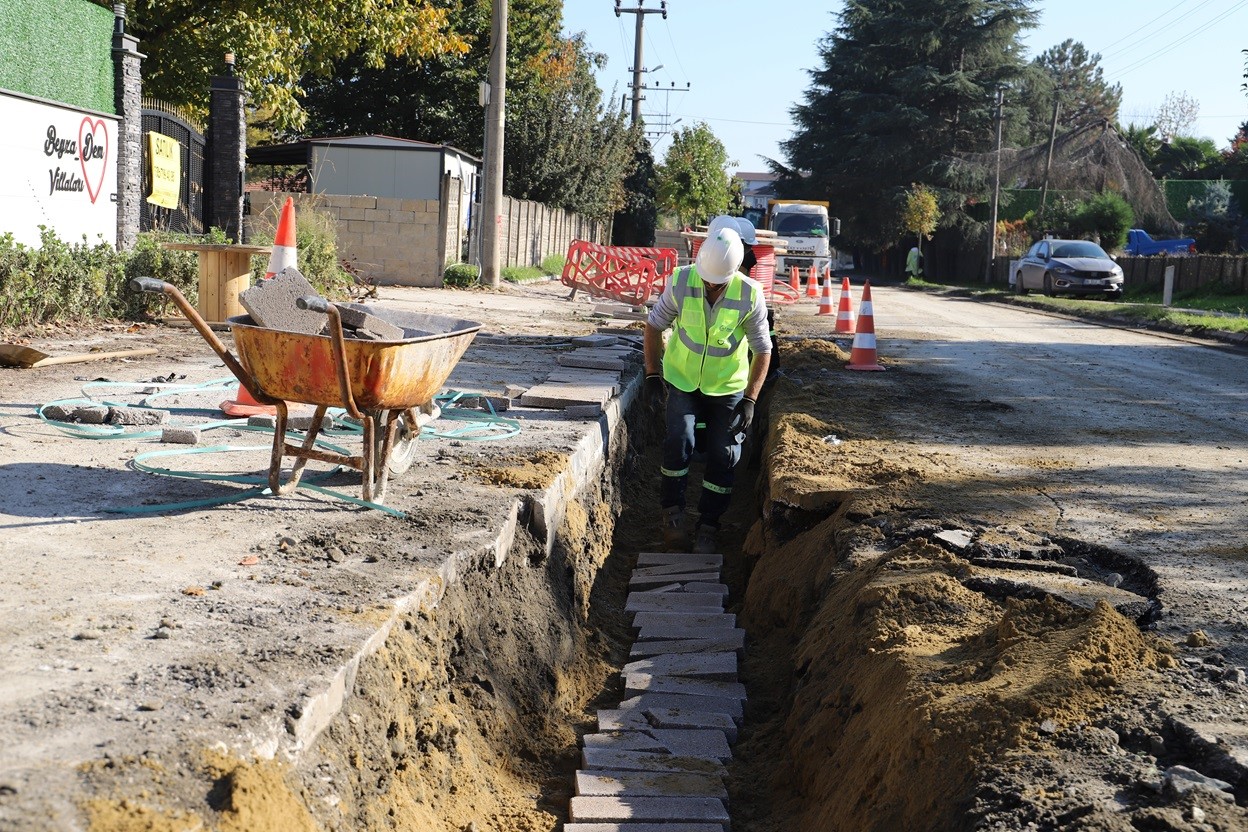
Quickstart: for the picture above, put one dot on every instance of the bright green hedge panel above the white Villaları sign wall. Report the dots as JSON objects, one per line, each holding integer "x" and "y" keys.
{"x": 61, "y": 51}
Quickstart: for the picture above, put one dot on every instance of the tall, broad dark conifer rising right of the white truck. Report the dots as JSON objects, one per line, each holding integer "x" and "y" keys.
{"x": 900, "y": 89}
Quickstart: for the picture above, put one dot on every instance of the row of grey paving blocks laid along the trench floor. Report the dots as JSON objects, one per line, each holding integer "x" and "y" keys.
{"x": 658, "y": 760}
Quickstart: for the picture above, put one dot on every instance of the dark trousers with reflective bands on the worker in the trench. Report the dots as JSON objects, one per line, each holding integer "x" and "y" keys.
{"x": 723, "y": 451}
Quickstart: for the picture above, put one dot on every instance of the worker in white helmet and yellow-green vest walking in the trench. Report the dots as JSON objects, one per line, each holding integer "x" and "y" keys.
{"x": 706, "y": 375}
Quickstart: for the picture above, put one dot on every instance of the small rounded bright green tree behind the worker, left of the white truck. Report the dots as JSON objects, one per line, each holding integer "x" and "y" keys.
{"x": 693, "y": 179}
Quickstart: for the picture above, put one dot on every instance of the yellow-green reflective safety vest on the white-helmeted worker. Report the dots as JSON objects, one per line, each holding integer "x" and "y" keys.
{"x": 709, "y": 359}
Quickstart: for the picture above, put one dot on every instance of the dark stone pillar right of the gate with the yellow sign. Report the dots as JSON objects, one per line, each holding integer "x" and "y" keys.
{"x": 227, "y": 154}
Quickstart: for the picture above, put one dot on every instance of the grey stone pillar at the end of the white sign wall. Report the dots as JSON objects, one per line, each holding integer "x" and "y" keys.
{"x": 128, "y": 92}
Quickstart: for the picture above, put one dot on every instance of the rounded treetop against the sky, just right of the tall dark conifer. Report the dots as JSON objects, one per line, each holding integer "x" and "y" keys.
{"x": 1070, "y": 75}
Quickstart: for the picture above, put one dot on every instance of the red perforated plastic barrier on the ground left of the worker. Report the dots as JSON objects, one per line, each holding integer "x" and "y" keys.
{"x": 626, "y": 274}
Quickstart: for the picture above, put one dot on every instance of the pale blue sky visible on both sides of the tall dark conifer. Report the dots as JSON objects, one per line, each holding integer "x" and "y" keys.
{"x": 747, "y": 62}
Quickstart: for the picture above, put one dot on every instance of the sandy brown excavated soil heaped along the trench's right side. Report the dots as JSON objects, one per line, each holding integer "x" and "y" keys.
{"x": 915, "y": 669}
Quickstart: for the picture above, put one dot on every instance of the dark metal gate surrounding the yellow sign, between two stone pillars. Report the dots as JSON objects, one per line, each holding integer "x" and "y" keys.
{"x": 188, "y": 218}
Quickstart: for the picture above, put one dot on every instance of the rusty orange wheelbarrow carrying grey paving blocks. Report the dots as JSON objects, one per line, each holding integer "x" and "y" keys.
{"x": 389, "y": 386}
